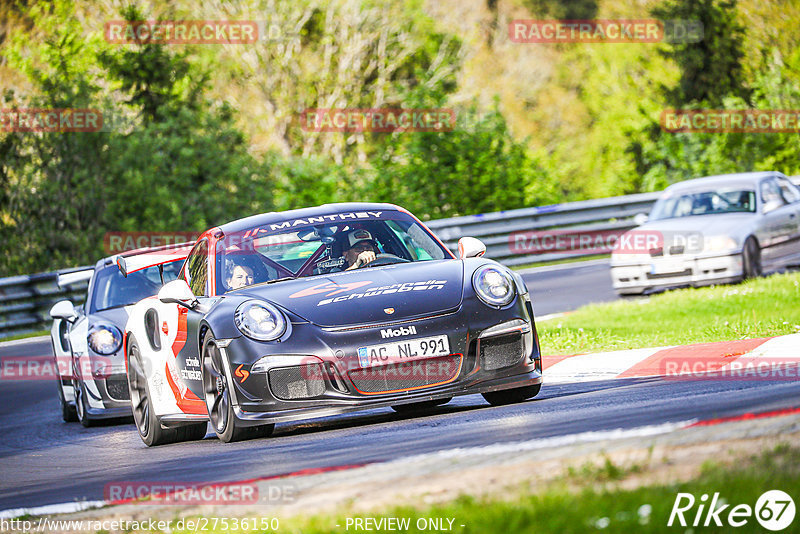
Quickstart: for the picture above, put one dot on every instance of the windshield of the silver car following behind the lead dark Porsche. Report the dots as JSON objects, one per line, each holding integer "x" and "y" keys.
{"x": 112, "y": 290}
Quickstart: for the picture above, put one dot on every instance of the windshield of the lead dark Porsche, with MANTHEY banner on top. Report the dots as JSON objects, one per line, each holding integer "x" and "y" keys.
{"x": 275, "y": 252}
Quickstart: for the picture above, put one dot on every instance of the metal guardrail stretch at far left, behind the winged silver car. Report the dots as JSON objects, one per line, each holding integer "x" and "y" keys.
{"x": 26, "y": 300}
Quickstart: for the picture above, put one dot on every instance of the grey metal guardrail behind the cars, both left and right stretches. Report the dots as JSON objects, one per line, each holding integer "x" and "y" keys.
{"x": 26, "y": 300}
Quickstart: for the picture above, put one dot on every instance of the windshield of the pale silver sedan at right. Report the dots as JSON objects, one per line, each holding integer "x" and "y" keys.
{"x": 673, "y": 205}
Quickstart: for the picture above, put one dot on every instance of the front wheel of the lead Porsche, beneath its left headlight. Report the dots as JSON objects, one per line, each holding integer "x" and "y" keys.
{"x": 218, "y": 399}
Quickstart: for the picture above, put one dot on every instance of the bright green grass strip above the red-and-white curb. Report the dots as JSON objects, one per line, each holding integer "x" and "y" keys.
{"x": 757, "y": 308}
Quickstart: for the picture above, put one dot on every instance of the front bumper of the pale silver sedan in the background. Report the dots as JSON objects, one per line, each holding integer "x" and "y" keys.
{"x": 631, "y": 276}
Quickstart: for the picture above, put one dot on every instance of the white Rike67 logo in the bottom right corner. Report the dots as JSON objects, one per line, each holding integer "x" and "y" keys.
{"x": 774, "y": 510}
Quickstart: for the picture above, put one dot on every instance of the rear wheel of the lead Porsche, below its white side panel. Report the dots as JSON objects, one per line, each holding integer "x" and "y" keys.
{"x": 144, "y": 418}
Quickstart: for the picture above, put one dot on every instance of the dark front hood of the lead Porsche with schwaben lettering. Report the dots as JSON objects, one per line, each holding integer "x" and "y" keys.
{"x": 370, "y": 295}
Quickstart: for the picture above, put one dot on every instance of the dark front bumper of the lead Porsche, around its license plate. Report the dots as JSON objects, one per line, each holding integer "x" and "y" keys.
{"x": 473, "y": 338}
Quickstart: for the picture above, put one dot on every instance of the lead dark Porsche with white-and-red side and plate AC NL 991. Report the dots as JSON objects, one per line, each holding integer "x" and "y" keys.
{"x": 319, "y": 311}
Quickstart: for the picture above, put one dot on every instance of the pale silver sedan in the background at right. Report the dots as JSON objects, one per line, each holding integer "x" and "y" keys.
{"x": 713, "y": 230}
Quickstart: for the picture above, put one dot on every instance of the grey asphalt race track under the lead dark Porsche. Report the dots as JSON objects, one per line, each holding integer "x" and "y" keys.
{"x": 45, "y": 461}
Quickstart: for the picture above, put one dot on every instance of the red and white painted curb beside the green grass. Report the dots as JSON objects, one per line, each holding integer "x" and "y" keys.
{"x": 765, "y": 358}
